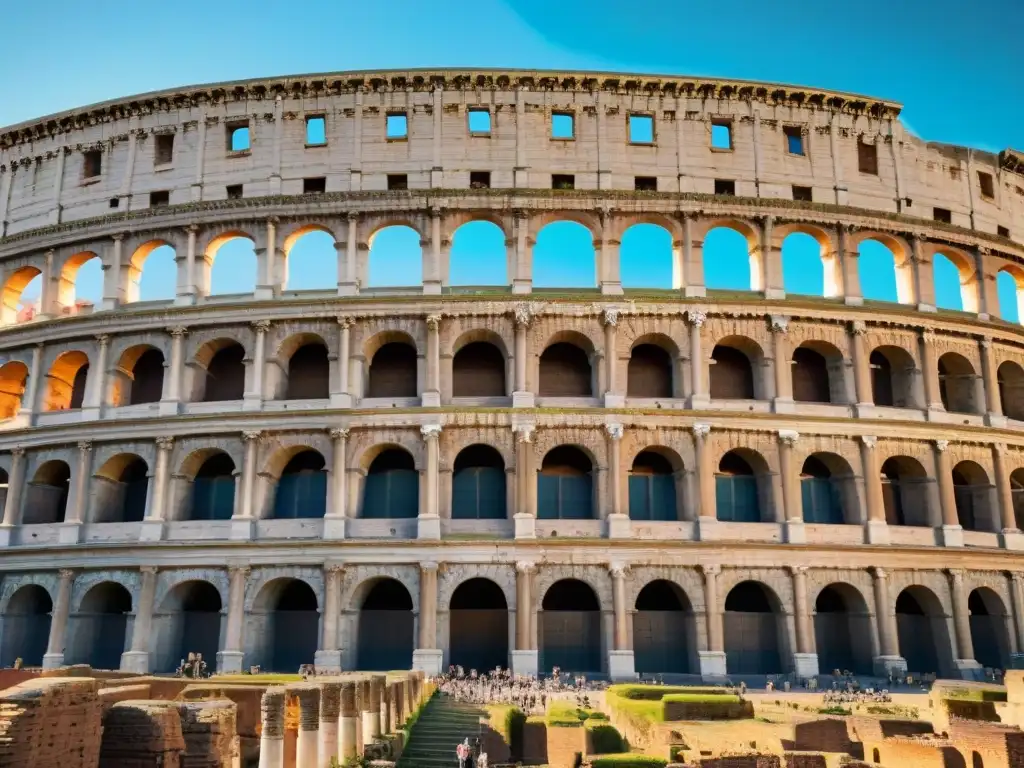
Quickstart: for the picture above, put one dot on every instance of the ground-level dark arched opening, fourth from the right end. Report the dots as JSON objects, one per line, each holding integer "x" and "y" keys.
{"x": 753, "y": 625}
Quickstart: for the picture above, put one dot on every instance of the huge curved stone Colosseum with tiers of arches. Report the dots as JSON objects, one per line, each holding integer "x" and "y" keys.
{"x": 677, "y": 480}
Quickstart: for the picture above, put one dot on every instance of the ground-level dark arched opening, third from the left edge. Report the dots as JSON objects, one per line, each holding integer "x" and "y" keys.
{"x": 189, "y": 622}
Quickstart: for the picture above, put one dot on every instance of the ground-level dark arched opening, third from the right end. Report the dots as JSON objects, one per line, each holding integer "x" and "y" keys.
{"x": 843, "y": 630}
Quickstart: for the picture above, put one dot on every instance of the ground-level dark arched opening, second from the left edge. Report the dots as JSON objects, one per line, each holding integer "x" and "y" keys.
{"x": 97, "y": 633}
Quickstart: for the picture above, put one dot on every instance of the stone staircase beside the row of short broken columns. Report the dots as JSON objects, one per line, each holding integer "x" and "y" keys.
{"x": 443, "y": 724}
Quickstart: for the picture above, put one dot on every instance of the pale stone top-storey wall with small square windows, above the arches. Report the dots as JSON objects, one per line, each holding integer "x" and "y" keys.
{"x": 44, "y": 177}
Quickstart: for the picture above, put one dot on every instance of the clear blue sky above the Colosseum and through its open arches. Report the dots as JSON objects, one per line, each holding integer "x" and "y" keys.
{"x": 956, "y": 68}
